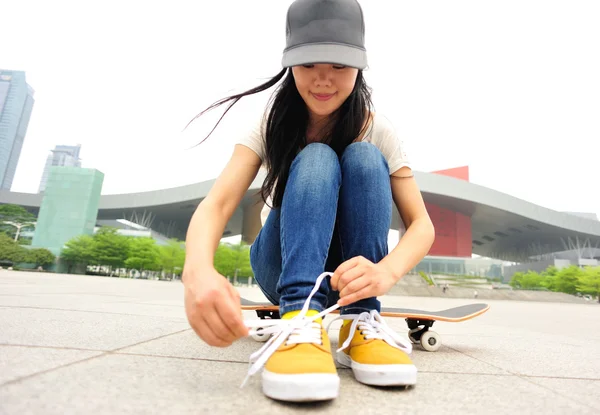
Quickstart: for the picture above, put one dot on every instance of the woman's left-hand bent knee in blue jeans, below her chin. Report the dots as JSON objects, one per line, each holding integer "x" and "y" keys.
{"x": 316, "y": 163}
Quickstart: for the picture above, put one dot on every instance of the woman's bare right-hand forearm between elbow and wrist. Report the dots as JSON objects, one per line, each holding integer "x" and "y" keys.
{"x": 412, "y": 247}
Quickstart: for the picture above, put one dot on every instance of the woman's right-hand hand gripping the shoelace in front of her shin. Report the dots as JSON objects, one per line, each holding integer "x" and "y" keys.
{"x": 359, "y": 278}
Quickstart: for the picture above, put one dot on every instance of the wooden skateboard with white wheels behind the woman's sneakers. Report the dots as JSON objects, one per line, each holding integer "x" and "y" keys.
{"x": 419, "y": 322}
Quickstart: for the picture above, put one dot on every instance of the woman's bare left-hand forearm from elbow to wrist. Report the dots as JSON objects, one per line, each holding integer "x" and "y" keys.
{"x": 203, "y": 236}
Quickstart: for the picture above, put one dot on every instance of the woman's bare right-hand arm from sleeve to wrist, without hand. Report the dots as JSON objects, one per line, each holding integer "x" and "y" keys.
{"x": 420, "y": 233}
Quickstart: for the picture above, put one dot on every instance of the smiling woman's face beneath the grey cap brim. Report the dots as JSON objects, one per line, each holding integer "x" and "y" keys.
{"x": 324, "y": 87}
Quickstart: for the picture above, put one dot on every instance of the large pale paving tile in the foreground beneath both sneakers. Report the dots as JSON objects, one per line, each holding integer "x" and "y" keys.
{"x": 137, "y": 384}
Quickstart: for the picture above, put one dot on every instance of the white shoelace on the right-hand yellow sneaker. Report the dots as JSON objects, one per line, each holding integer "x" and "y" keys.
{"x": 372, "y": 326}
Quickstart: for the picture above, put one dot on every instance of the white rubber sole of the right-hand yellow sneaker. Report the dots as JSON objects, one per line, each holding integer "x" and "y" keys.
{"x": 380, "y": 375}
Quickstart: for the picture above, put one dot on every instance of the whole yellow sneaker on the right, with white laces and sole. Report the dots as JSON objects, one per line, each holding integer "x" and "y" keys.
{"x": 376, "y": 354}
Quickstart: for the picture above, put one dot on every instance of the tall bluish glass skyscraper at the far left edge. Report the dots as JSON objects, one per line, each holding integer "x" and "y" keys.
{"x": 16, "y": 105}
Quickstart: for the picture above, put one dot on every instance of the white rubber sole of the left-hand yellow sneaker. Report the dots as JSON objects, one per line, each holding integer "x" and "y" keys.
{"x": 300, "y": 387}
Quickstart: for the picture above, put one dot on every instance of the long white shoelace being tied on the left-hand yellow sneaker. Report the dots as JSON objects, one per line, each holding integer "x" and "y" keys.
{"x": 300, "y": 329}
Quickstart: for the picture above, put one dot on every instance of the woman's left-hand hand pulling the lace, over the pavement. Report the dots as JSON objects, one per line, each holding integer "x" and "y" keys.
{"x": 213, "y": 308}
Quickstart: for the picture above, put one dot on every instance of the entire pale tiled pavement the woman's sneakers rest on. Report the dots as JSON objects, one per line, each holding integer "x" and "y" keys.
{"x": 79, "y": 344}
